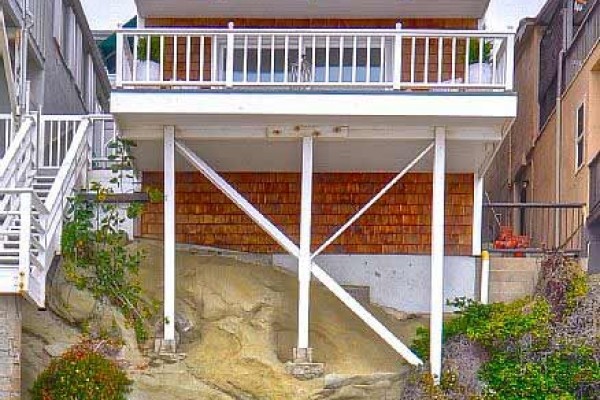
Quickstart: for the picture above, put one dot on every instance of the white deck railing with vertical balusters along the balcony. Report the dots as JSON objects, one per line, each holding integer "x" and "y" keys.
{"x": 397, "y": 59}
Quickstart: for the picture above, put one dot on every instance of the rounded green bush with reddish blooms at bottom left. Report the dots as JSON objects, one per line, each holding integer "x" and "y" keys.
{"x": 82, "y": 373}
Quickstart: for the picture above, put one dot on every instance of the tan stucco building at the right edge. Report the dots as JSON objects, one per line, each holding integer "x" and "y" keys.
{"x": 548, "y": 163}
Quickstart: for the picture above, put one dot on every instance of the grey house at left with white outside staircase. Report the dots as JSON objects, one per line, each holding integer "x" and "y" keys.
{"x": 52, "y": 80}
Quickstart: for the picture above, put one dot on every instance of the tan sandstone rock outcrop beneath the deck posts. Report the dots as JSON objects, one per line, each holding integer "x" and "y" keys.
{"x": 237, "y": 325}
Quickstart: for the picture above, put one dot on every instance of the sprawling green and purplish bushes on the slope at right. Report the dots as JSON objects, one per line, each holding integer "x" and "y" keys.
{"x": 533, "y": 352}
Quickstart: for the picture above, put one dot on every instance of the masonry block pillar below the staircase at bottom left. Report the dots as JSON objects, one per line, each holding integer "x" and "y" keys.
{"x": 10, "y": 347}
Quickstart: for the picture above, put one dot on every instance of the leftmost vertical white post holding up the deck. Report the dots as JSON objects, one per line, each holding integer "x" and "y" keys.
{"x": 169, "y": 232}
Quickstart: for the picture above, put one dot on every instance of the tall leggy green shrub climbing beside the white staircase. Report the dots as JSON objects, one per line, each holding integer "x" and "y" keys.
{"x": 94, "y": 246}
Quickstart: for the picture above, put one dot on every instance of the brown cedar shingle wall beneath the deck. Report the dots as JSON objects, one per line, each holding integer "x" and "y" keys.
{"x": 398, "y": 224}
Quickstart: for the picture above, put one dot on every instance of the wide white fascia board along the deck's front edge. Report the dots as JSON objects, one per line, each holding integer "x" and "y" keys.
{"x": 451, "y": 105}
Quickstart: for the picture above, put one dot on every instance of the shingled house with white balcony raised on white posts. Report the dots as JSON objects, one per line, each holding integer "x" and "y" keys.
{"x": 307, "y": 111}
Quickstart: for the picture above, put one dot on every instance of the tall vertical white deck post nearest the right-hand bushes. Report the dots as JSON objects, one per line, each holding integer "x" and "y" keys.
{"x": 437, "y": 254}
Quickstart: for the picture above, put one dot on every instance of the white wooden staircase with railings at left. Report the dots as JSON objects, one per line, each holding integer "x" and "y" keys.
{"x": 46, "y": 161}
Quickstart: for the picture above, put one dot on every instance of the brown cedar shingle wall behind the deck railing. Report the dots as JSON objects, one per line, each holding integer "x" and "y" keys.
{"x": 454, "y": 23}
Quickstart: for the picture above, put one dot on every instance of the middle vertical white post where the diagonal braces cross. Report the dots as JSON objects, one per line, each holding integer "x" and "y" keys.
{"x": 304, "y": 261}
